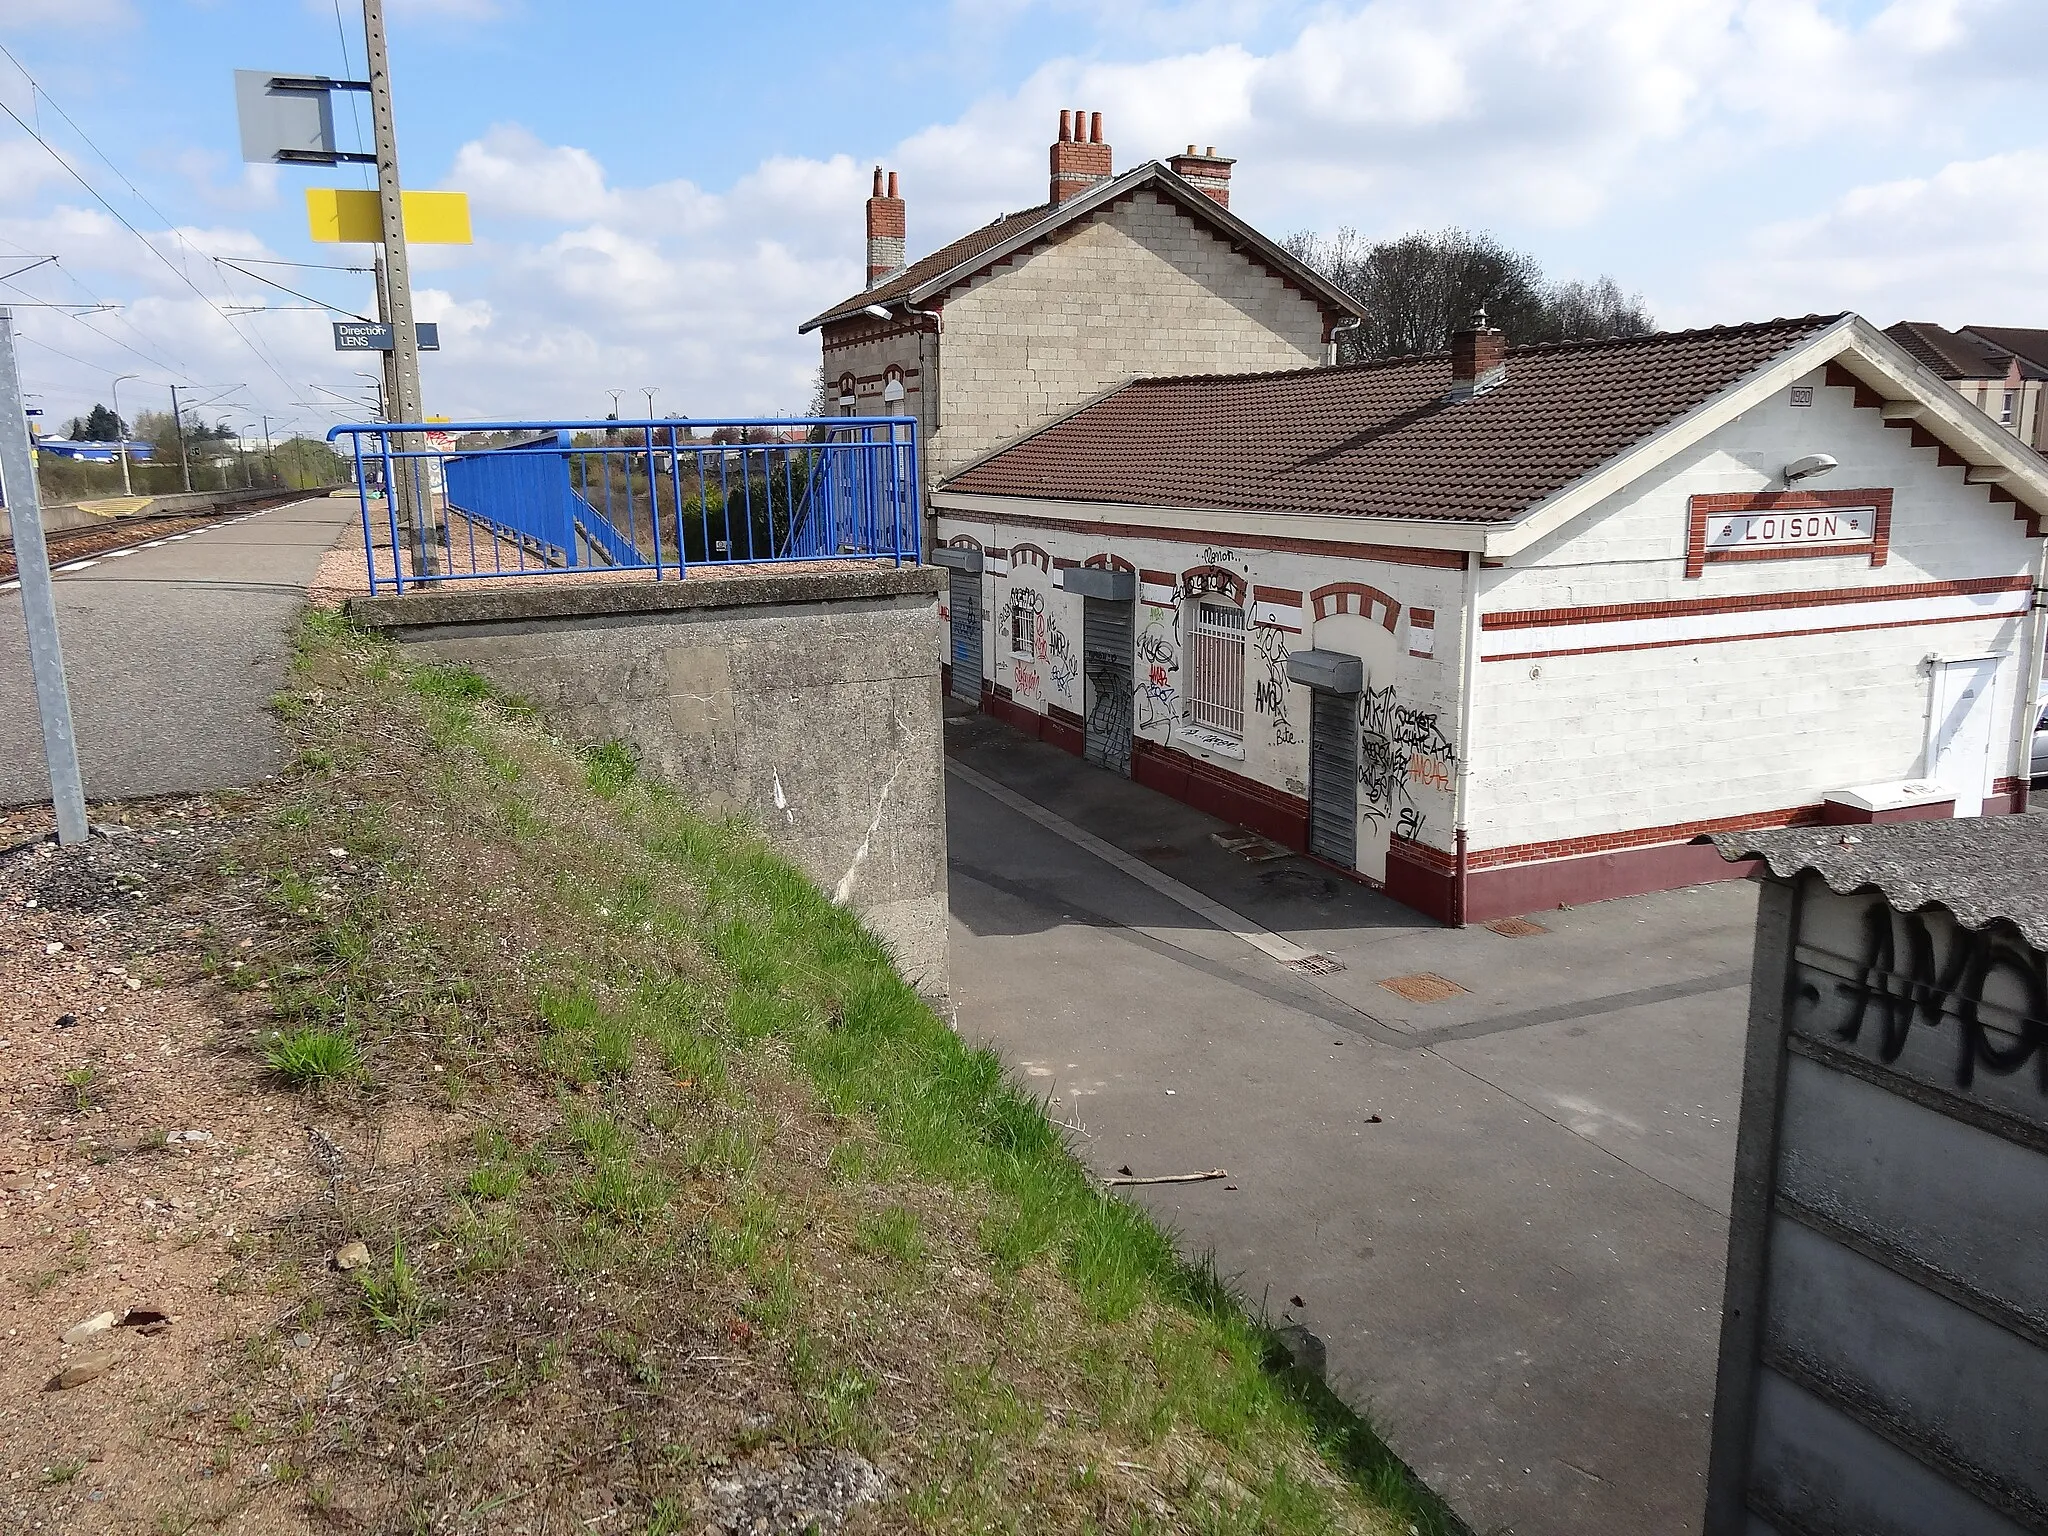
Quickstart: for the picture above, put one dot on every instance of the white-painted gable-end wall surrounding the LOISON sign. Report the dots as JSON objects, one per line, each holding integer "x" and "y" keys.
{"x": 1594, "y": 744}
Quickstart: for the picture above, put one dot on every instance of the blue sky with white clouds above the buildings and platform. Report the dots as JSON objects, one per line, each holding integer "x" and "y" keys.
{"x": 665, "y": 191}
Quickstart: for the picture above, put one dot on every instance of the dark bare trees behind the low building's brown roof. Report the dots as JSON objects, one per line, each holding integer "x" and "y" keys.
{"x": 1418, "y": 290}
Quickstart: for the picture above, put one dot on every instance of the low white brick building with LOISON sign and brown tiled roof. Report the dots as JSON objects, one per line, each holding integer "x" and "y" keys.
{"x": 1506, "y": 630}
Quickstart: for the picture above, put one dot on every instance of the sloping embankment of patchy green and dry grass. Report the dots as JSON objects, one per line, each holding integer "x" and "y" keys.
{"x": 701, "y": 1187}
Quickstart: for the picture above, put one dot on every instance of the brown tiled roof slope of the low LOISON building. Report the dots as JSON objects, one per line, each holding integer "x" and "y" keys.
{"x": 1379, "y": 439}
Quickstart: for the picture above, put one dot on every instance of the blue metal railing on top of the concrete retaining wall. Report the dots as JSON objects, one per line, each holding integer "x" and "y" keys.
{"x": 482, "y": 501}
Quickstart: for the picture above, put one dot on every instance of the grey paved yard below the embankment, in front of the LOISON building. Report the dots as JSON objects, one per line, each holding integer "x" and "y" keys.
{"x": 1506, "y": 1213}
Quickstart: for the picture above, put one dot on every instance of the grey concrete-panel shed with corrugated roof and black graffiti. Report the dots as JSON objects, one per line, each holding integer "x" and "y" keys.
{"x": 1885, "y": 1332}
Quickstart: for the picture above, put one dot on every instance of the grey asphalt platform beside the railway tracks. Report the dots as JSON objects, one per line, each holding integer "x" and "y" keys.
{"x": 173, "y": 654}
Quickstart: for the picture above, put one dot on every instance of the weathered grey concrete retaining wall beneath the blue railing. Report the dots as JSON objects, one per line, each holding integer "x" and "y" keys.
{"x": 806, "y": 701}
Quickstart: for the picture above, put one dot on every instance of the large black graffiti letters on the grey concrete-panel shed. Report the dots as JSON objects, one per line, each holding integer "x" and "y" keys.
{"x": 1906, "y": 980}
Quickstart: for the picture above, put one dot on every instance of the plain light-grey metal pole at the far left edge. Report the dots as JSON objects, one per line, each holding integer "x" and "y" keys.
{"x": 38, "y": 599}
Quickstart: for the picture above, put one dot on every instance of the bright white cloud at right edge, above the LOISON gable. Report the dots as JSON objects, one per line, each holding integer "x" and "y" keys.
{"x": 1961, "y": 247}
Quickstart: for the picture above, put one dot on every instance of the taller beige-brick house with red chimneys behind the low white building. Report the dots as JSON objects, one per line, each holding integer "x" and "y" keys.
{"x": 1037, "y": 312}
